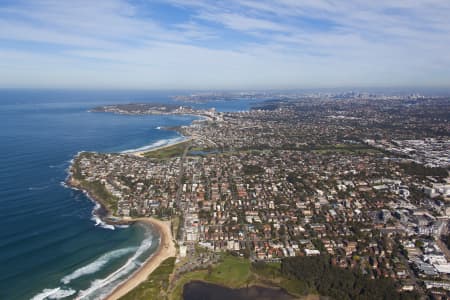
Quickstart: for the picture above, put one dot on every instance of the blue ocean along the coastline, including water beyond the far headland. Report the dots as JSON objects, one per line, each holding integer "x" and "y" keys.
{"x": 51, "y": 246}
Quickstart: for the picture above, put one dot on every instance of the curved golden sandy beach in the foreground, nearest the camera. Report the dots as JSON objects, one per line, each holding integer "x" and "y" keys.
{"x": 165, "y": 250}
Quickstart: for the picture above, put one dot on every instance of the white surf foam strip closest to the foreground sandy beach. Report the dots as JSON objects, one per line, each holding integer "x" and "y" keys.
{"x": 131, "y": 263}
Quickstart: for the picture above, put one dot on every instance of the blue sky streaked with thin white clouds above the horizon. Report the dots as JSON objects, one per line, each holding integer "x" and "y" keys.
{"x": 247, "y": 44}
